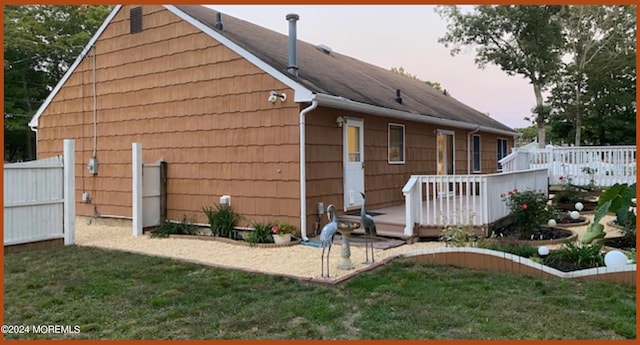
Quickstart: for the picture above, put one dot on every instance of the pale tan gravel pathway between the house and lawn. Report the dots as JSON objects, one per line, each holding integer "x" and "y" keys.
{"x": 298, "y": 260}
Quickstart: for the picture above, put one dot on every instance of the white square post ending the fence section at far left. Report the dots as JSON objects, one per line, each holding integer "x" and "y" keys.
{"x": 69, "y": 192}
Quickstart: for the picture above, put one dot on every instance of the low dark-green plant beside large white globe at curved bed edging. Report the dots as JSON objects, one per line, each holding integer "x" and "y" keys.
{"x": 579, "y": 256}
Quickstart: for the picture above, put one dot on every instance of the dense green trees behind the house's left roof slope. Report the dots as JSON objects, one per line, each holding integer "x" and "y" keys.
{"x": 40, "y": 44}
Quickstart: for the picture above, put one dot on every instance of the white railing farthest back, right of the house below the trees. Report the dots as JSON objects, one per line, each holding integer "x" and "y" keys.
{"x": 597, "y": 165}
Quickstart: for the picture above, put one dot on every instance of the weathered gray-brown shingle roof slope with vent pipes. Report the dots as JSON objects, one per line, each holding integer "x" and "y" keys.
{"x": 343, "y": 76}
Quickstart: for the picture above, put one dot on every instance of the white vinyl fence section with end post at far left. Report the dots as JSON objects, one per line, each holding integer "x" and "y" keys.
{"x": 39, "y": 199}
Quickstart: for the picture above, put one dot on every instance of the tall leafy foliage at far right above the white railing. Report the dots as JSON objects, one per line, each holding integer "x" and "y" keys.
{"x": 600, "y": 47}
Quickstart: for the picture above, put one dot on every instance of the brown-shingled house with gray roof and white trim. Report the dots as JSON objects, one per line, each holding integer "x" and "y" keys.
{"x": 235, "y": 109}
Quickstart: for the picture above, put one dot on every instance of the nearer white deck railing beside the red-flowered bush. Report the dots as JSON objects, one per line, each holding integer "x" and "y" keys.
{"x": 442, "y": 200}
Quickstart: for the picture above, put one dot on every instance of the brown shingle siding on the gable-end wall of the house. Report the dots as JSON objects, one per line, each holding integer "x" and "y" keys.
{"x": 188, "y": 100}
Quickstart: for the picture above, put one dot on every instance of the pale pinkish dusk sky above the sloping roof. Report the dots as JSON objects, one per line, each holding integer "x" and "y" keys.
{"x": 401, "y": 36}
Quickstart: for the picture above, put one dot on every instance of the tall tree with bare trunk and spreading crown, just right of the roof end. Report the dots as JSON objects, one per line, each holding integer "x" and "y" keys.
{"x": 524, "y": 40}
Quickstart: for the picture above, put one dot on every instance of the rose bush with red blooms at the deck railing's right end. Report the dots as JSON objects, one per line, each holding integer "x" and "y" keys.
{"x": 528, "y": 209}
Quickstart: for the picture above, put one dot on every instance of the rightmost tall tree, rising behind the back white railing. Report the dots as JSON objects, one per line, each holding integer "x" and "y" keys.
{"x": 600, "y": 43}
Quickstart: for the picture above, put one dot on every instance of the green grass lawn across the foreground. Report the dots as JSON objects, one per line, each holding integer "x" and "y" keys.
{"x": 116, "y": 295}
